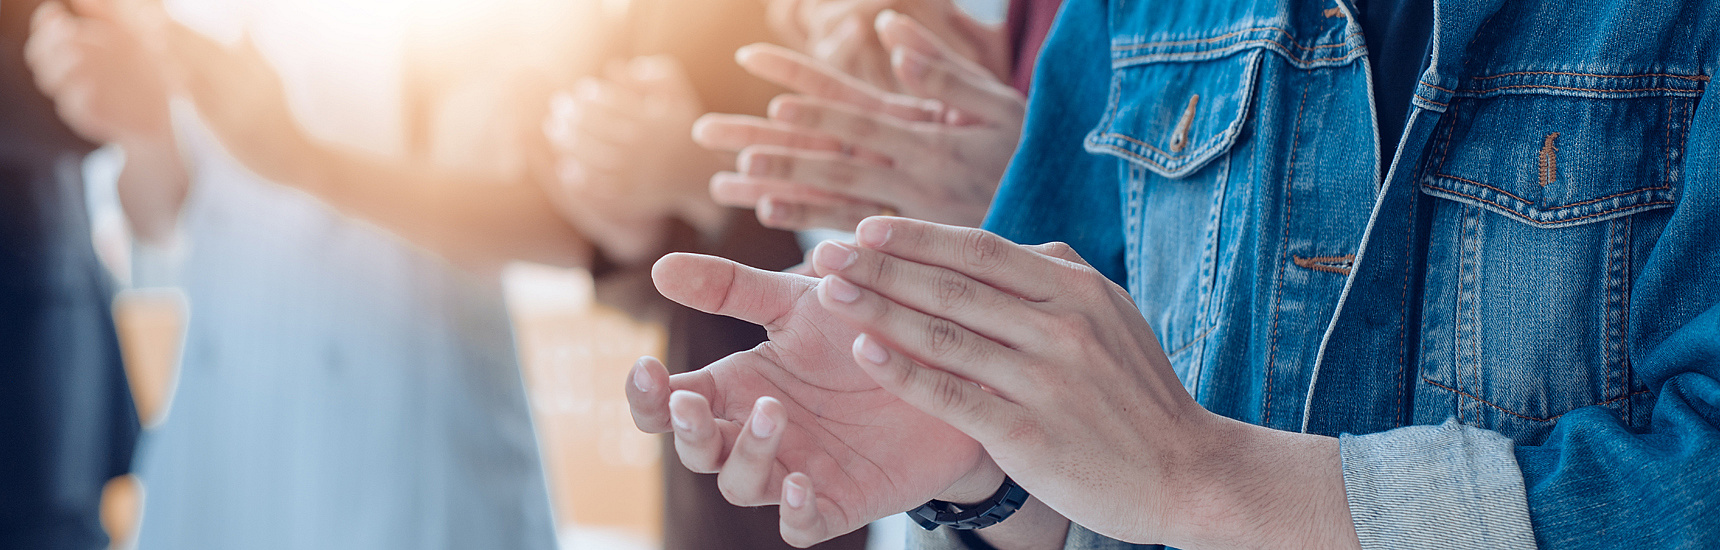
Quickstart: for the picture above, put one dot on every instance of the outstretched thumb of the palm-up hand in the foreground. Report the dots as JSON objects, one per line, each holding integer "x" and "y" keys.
{"x": 727, "y": 288}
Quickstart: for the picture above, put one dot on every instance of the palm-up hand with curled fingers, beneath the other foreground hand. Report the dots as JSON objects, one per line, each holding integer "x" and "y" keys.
{"x": 792, "y": 422}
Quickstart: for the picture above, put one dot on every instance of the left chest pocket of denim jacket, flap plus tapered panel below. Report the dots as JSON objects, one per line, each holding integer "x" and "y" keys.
{"x": 1170, "y": 123}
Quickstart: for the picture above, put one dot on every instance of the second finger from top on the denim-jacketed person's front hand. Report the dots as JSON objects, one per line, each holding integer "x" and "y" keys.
{"x": 931, "y": 290}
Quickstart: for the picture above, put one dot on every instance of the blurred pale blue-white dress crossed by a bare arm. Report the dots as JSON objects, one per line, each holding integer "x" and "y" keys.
{"x": 340, "y": 389}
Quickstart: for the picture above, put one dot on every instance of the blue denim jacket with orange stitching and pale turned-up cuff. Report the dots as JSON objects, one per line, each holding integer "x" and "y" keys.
{"x": 1516, "y": 317}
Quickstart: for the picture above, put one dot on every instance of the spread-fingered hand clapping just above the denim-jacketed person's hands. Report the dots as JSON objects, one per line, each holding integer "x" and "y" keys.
{"x": 935, "y": 157}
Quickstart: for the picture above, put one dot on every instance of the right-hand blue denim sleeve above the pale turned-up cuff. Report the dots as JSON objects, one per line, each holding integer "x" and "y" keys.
{"x": 1597, "y": 480}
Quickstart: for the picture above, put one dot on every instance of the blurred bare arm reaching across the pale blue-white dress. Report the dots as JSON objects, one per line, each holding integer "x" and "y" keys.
{"x": 469, "y": 221}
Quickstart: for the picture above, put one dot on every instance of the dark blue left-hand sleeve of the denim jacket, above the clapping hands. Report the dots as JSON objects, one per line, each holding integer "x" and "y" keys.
{"x": 1055, "y": 190}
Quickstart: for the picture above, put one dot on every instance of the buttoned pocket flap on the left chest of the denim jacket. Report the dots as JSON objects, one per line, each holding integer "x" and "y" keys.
{"x": 1176, "y": 118}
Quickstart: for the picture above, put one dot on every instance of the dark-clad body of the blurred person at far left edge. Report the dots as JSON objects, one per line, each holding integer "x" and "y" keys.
{"x": 68, "y": 424}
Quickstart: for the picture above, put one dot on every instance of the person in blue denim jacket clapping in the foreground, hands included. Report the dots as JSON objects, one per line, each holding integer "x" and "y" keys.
{"x": 1370, "y": 279}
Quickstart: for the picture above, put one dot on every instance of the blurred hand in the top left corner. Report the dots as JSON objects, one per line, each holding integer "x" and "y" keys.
{"x": 102, "y": 82}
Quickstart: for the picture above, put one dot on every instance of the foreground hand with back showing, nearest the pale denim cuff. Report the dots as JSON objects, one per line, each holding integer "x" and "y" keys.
{"x": 1052, "y": 367}
